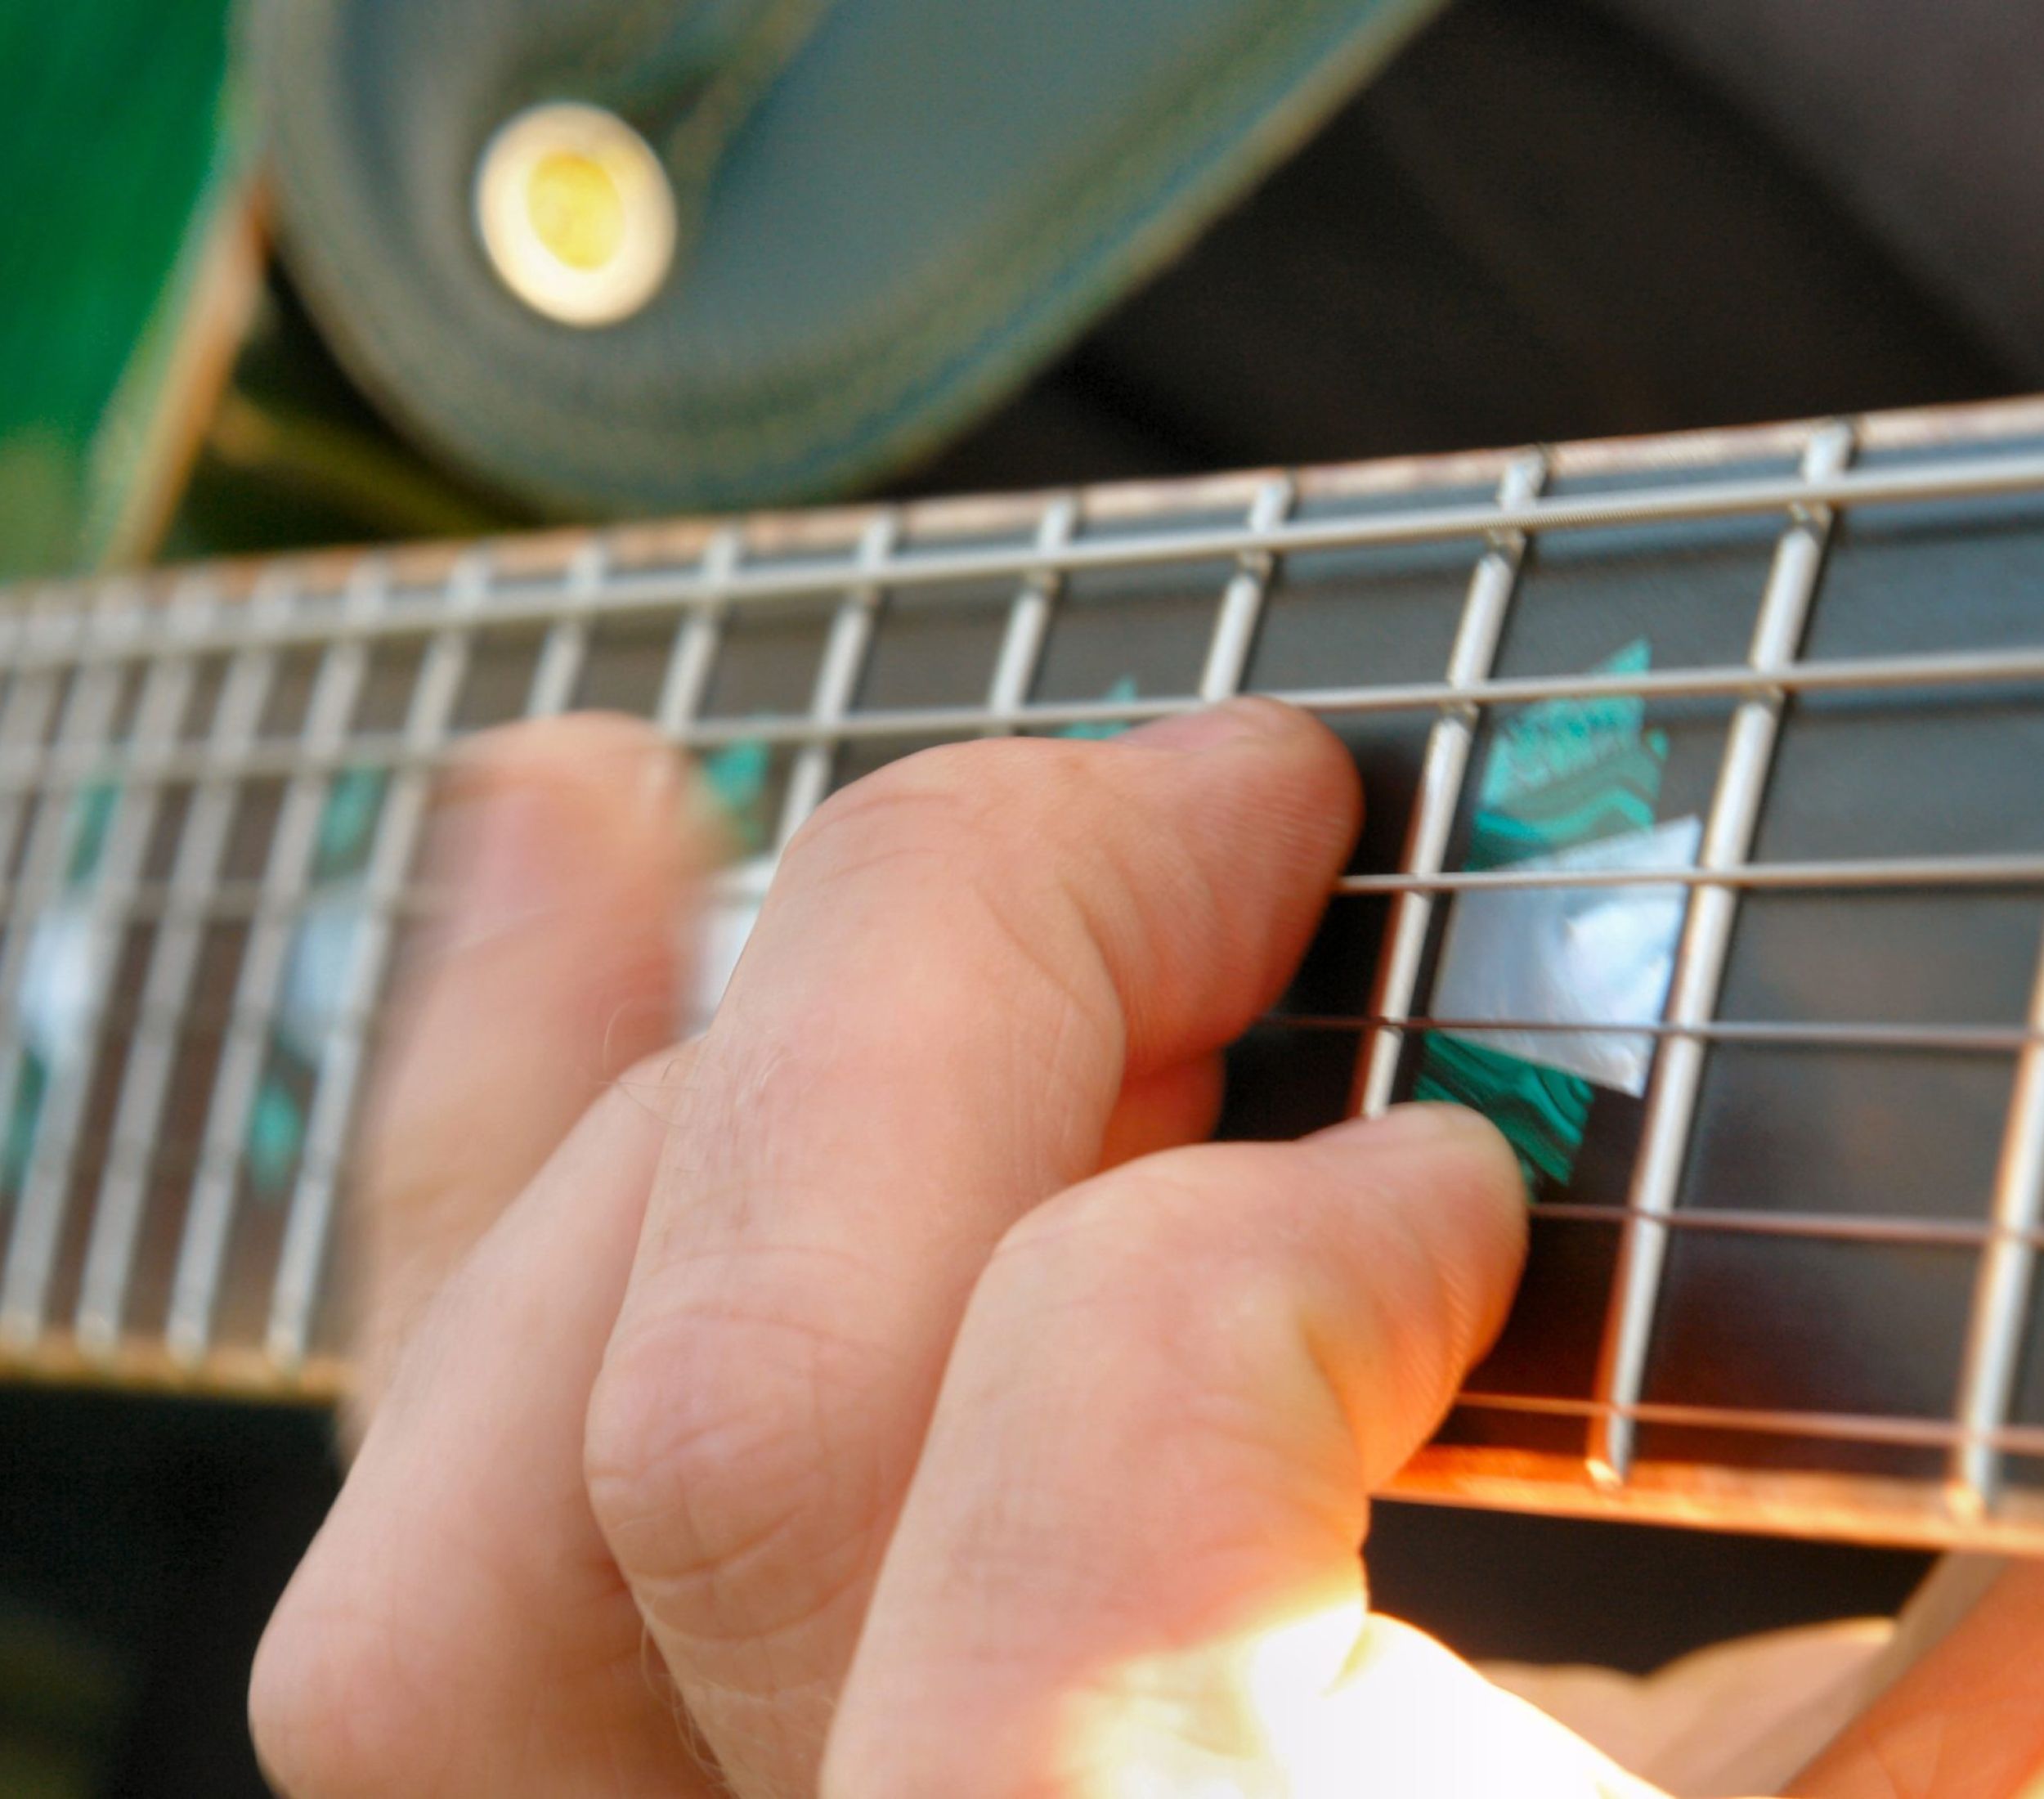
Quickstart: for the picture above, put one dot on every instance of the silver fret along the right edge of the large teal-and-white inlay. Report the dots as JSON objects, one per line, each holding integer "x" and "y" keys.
{"x": 1700, "y": 968}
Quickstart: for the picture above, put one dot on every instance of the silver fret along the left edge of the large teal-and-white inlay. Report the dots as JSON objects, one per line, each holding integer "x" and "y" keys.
{"x": 1440, "y": 788}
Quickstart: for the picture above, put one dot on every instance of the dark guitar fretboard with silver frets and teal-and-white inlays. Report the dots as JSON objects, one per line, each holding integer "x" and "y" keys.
{"x": 1785, "y": 1281}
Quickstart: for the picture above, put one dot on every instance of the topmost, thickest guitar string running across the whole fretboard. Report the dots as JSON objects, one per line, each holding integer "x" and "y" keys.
{"x": 626, "y": 594}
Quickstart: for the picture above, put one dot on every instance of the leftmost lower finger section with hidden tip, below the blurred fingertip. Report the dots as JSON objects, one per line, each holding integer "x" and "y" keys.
{"x": 459, "y": 1626}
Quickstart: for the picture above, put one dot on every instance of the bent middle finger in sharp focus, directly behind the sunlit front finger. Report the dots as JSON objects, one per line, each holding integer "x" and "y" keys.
{"x": 966, "y": 962}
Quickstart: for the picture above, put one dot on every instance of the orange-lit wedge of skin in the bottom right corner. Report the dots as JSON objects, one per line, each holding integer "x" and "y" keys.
{"x": 1965, "y": 1724}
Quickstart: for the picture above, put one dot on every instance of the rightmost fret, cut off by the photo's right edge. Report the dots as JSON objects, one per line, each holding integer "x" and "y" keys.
{"x": 2002, "y": 1299}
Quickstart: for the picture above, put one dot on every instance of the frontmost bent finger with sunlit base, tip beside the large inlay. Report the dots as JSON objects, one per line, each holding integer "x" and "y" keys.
{"x": 1164, "y": 1416}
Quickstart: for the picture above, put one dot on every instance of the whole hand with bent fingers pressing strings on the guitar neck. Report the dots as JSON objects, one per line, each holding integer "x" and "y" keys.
{"x": 880, "y": 1391}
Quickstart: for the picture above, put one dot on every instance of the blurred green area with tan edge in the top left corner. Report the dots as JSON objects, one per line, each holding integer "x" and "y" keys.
{"x": 124, "y": 242}
